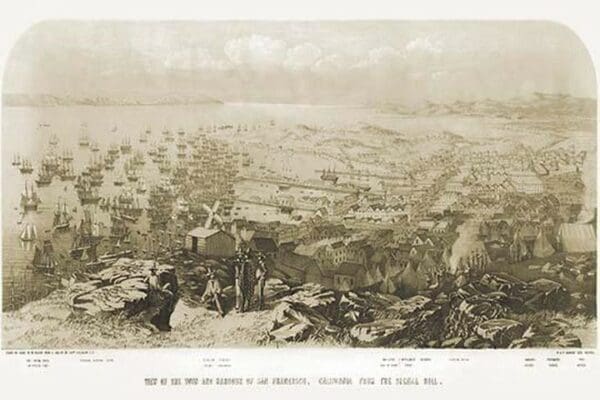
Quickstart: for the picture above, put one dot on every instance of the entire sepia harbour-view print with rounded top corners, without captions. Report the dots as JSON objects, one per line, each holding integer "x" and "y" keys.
{"x": 324, "y": 184}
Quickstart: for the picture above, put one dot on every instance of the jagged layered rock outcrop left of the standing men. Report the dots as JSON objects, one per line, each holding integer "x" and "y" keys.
{"x": 124, "y": 289}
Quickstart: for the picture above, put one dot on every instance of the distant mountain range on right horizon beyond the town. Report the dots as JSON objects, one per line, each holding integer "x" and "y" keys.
{"x": 535, "y": 106}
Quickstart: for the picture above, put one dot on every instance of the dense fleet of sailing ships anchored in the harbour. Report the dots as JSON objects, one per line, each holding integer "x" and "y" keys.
{"x": 191, "y": 169}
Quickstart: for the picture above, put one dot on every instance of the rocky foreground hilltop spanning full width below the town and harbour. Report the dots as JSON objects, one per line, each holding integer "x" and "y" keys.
{"x": 495, "y": 310}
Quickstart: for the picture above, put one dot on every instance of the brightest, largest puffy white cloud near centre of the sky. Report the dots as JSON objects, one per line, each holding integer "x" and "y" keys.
{"x": 256, "y": 50}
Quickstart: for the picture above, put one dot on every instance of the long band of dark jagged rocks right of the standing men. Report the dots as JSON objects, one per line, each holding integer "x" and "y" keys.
{"x": 480, "y": 314}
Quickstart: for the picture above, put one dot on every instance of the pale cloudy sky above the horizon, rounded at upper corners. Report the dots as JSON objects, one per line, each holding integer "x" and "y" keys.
{"x": 366, "y": 62}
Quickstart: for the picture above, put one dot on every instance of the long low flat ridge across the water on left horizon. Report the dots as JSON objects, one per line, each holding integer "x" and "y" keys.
{"x": 49, "y": 100}
